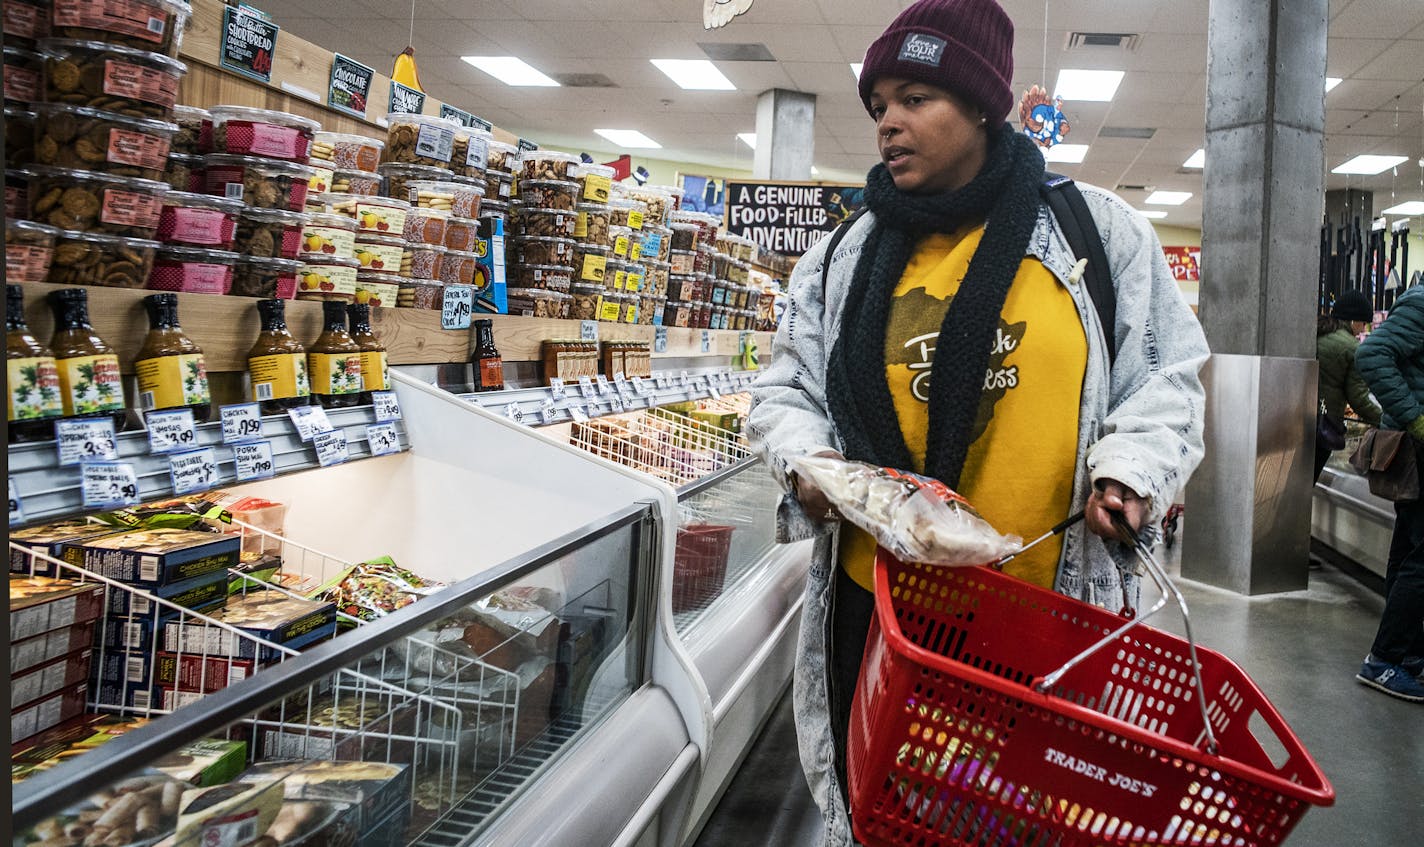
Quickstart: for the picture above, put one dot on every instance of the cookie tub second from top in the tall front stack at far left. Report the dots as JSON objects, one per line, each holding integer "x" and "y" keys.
{"x": 109, "y": 78}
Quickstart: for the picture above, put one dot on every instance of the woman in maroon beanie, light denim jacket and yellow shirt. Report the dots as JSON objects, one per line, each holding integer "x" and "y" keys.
{"x": 1033, "y": 412}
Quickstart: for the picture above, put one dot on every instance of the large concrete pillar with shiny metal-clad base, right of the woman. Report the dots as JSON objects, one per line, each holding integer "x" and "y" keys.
{"x": 1250, "y": 503}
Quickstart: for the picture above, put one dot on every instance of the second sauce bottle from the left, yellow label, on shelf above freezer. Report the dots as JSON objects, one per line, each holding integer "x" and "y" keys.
{"x": 90, "y": 382}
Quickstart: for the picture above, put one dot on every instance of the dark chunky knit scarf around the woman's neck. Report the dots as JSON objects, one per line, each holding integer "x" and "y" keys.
{"x": 1005, "y": 194}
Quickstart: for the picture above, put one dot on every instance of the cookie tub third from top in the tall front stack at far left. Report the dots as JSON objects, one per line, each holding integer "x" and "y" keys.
{"x": 93, "y": 140}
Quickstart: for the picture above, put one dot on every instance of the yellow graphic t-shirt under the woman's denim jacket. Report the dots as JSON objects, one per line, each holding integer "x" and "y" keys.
{"x": 1020, "y": 469}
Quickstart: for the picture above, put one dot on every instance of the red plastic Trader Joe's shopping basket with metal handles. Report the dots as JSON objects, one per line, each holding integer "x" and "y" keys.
{"x": 953, "y": 742}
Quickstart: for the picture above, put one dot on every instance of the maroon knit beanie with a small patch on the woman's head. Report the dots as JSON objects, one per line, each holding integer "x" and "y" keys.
{"x": 966, "y": 46}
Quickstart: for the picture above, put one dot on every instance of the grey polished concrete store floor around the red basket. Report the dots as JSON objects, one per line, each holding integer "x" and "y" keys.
{"x": 1301, "y": 648}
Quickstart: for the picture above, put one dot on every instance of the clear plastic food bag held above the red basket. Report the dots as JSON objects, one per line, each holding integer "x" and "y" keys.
{"x": 916, "y": 519}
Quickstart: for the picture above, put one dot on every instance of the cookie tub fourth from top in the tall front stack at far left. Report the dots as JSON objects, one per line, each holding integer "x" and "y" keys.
{"x": 86, "y": 201}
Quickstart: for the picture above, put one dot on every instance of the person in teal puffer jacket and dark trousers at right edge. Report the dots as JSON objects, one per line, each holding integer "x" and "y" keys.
{"x": 1392, "y": 361}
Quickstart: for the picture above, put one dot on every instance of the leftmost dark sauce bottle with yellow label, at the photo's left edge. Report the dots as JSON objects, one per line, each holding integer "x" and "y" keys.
{"x": 32, "y": 377}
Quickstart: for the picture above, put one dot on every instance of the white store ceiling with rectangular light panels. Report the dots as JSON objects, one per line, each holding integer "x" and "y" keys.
{"x": 1376, "y": 48}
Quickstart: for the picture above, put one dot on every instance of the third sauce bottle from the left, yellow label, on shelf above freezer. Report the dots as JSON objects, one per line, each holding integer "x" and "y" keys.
{"x": 170, "y": 367}
